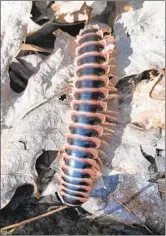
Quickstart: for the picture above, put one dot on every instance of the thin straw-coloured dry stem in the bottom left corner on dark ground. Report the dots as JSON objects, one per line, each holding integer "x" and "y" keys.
{"x": 32, "y": 219}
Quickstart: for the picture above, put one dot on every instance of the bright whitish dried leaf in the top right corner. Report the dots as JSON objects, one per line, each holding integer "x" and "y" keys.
{"x": 140, "y": 36}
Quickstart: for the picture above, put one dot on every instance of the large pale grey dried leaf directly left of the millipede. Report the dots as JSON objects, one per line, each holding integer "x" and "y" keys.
{"x": 36, "y": 119}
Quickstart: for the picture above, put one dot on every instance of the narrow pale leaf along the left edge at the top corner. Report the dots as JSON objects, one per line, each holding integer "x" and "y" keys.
{"x": 12, "y": 39}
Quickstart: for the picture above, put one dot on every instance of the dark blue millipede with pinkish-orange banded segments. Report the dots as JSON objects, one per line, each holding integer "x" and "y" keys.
{"x": 81, "y": 163}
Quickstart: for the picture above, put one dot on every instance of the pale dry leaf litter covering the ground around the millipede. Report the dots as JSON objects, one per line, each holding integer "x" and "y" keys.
{"x": 34, "y": 120}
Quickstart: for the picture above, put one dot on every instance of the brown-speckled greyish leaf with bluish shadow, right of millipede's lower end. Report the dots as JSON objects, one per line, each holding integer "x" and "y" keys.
{"x": 128, "y": 199}
